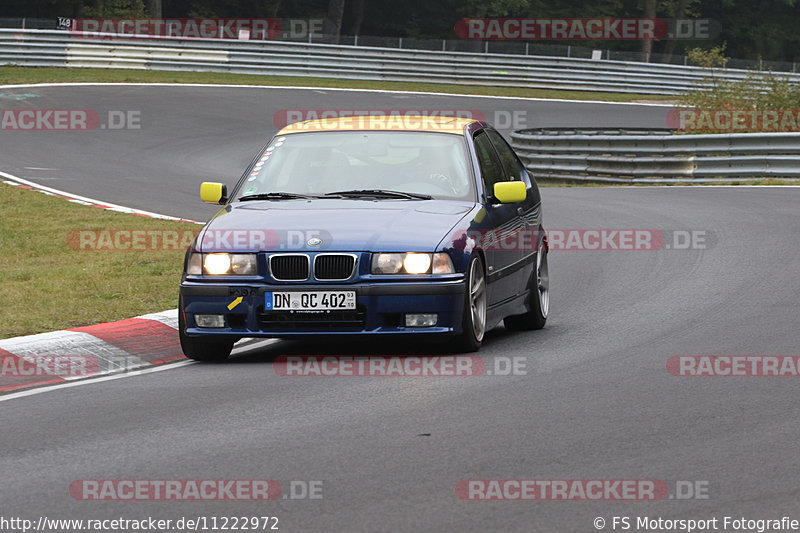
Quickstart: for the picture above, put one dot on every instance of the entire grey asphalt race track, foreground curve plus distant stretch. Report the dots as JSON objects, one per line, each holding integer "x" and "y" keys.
{"x": 596, "y": 401}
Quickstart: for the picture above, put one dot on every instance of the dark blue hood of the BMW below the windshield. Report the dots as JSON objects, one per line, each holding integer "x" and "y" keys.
{"x": 341, "y": 225}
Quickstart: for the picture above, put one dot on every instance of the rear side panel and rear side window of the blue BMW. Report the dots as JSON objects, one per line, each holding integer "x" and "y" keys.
{"x": 531, "y": 209}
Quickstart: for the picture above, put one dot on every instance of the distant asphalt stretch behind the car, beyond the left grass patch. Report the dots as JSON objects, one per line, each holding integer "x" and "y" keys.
{"x": 188, "y": 135}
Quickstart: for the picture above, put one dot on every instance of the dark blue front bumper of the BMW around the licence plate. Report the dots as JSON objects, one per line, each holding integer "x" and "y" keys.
{"x": 380, "y": 309}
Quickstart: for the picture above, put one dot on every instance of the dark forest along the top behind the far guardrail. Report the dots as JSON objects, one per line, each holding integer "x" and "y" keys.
{"x": 752, "y": 29}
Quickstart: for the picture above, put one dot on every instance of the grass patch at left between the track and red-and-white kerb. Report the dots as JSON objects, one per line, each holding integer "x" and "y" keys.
{"x": 46, "y": 284}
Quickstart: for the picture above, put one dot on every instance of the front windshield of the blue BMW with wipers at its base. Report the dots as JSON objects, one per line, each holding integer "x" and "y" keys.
{"x": 319, "y": 163}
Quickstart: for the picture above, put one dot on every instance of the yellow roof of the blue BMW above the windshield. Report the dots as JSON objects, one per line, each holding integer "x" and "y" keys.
{"x": 409, "y": 122}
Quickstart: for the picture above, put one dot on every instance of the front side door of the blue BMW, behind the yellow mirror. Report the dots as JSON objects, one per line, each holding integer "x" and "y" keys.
{"x": 505, "y": 223}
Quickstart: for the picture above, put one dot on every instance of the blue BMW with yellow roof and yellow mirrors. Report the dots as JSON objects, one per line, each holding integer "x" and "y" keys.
{"x": 423, "y": 226}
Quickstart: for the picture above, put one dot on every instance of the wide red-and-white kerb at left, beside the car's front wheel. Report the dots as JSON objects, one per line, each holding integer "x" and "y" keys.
{"x": 91, "y": 351}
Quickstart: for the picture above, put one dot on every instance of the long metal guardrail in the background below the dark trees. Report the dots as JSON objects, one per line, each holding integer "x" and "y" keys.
{"x": 60, "y": 48}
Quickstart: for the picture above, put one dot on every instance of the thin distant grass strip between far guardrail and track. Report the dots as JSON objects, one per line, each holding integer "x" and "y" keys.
{"x": 15, "y": 75}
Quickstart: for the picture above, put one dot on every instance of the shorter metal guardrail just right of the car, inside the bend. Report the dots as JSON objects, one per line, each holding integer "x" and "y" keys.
{"x": 656, "y": 156}
